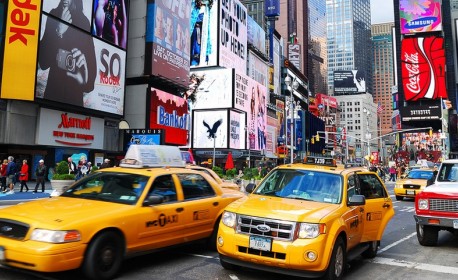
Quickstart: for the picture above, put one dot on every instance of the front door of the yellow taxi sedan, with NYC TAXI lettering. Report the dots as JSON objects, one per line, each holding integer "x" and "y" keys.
{"x": 162, "y": 224}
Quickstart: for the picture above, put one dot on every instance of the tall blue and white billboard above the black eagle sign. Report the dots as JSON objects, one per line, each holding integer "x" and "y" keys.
{"x": 204, "y": 33}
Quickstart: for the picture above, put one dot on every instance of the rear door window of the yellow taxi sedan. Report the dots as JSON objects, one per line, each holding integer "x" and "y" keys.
{"x": 195, "y": 186}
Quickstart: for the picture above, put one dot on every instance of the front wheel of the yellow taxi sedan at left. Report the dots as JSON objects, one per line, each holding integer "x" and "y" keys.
{"x": 104, "y": 256}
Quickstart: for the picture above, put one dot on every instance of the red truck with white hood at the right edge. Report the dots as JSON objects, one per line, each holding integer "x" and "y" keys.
{"x": 436, "y": 207}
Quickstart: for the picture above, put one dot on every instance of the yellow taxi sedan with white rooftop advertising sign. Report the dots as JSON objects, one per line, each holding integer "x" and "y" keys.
{"x": 150, "y": 202}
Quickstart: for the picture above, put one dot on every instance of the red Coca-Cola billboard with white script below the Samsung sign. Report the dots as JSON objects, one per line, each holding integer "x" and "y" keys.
{"x": 423, "y": 68}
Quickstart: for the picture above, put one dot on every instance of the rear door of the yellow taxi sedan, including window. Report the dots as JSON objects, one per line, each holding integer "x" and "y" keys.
{"x": 202, "y": 205}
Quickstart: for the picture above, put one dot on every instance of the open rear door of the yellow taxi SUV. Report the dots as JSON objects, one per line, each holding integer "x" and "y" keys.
{"x": 379, "y": 206}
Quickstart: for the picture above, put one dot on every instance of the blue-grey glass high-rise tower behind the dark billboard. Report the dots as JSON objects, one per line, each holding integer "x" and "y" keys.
{"x": 349, "y": 39}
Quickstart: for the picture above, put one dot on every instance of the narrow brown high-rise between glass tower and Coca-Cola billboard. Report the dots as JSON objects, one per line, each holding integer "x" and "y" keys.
{"x": 383, "y": 73}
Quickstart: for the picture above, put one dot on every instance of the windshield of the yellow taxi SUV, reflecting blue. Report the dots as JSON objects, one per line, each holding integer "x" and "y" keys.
{"x": 303, "y": 184}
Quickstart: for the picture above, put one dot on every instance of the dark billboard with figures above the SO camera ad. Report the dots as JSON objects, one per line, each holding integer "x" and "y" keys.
{"x": 110, "y": 21}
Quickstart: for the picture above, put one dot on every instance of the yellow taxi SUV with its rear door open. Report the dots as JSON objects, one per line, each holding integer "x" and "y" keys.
{"x": 306, "y": 219}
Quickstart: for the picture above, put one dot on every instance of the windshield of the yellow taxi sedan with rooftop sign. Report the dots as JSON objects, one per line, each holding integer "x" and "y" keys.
{"x": 109, "y": 186}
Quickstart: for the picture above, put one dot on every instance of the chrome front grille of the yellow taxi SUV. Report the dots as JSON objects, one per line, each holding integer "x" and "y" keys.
{"x": 279, "y": 230}
